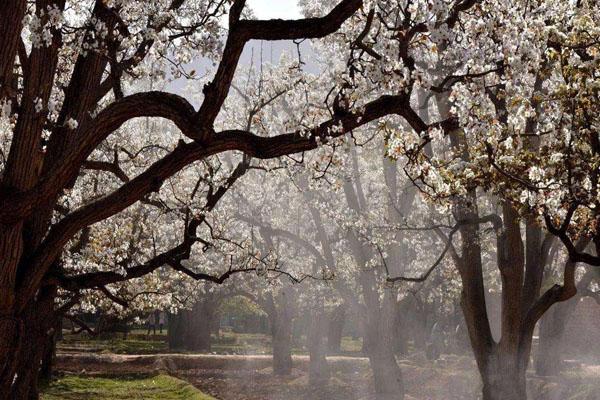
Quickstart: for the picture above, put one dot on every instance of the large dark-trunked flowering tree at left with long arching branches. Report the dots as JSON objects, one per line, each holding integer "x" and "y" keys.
{"x": 71, "y": 107}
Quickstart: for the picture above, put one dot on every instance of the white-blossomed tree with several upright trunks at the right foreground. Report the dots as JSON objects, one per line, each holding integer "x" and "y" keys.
{"x": 526, "y": 136}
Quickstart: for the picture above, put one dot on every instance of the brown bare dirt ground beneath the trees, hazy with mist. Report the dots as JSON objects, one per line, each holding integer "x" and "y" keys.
{"x": 250, "y": 377}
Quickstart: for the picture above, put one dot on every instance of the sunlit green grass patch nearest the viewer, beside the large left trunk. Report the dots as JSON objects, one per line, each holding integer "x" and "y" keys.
{"x": 161, "y": 387}
